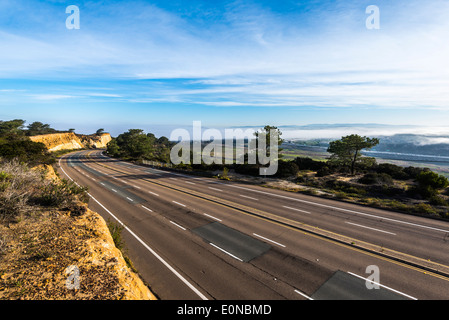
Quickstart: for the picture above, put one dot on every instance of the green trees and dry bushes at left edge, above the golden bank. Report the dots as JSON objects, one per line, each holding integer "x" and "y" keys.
{"x": 23, "y": 184}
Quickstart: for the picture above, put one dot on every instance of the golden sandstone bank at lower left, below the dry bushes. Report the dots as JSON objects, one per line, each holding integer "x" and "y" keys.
{"x": 37, "y": 252}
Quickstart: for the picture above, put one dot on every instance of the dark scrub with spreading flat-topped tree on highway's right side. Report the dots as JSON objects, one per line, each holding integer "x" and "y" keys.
{"x": 347, "y": 175}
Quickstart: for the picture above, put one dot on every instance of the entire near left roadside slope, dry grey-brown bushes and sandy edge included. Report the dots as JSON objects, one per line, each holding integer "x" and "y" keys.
{"x": 45, "y": 229}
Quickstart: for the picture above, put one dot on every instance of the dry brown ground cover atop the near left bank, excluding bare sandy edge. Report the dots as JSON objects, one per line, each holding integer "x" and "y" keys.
{"x": 36, "y": 254}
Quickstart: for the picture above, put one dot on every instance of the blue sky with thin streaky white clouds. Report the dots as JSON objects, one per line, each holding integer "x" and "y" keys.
{"x": 160, "y": 64}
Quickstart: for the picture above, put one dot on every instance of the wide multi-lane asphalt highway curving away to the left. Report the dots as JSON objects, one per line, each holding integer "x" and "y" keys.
{"x": 193, "y": 237}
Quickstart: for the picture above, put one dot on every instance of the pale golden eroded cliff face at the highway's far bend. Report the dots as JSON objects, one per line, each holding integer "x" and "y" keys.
{"x": 72, "y": 141}
